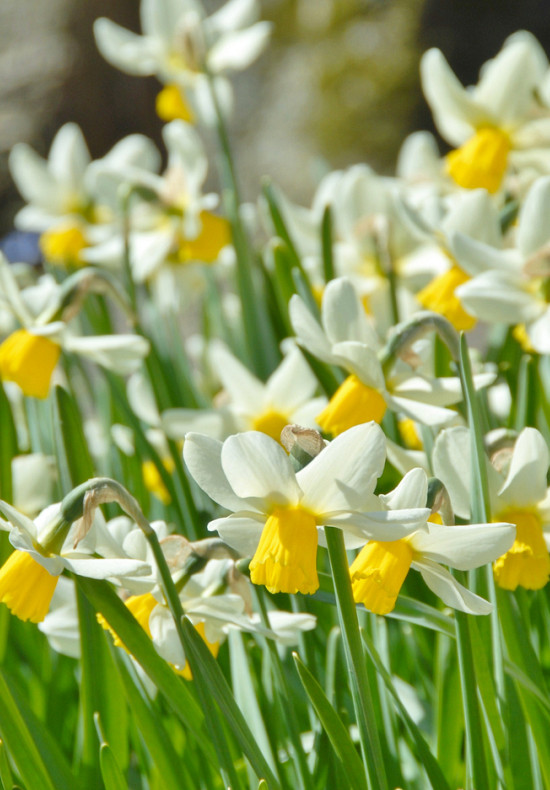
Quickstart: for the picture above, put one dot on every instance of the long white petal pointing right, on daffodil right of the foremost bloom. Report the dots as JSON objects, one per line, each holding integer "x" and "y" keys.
{"x": 464, "y": 547}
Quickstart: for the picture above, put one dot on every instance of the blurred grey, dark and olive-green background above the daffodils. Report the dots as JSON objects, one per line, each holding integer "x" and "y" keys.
{"x": 339, "y": 83}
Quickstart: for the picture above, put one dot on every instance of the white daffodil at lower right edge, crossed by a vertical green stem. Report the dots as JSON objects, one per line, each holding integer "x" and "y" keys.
{"x": 518, "y": 494}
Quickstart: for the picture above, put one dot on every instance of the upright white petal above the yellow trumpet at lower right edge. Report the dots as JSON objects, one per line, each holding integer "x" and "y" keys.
{"x": 526, "y": 481}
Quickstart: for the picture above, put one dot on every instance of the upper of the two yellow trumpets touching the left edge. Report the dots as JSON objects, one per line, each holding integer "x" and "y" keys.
{"x": 29, "y": 360}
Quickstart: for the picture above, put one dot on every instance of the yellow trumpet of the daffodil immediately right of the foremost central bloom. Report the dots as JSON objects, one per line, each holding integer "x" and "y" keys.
{"x": 378, "y": 573}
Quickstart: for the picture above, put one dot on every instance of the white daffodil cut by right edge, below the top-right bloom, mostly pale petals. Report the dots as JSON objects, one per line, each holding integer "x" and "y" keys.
{"x": 512, "y": 286}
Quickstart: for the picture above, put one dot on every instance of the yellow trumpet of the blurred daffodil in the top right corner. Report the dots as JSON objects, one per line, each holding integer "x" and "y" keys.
{"x": 481, "y": 162}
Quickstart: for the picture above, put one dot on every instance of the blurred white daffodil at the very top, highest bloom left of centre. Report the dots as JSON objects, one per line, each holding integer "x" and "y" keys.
{"x": 180, "y": 46}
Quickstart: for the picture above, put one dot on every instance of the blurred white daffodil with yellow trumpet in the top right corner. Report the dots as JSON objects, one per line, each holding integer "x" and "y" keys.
{"x": 496, "y": 124}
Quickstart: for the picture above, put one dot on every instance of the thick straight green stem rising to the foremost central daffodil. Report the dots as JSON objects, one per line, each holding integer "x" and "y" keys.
{"x": 355, "y": 658}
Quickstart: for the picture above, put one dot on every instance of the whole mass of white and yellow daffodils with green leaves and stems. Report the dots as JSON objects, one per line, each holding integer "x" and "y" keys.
{"x": 340, "y": 394}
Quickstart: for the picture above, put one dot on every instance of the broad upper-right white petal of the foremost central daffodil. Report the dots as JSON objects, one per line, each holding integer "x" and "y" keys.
{"x": 344, "y": 474}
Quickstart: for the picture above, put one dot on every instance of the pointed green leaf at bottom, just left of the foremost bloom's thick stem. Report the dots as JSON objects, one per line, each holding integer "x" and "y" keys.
{"x": 338, "y": 734}
